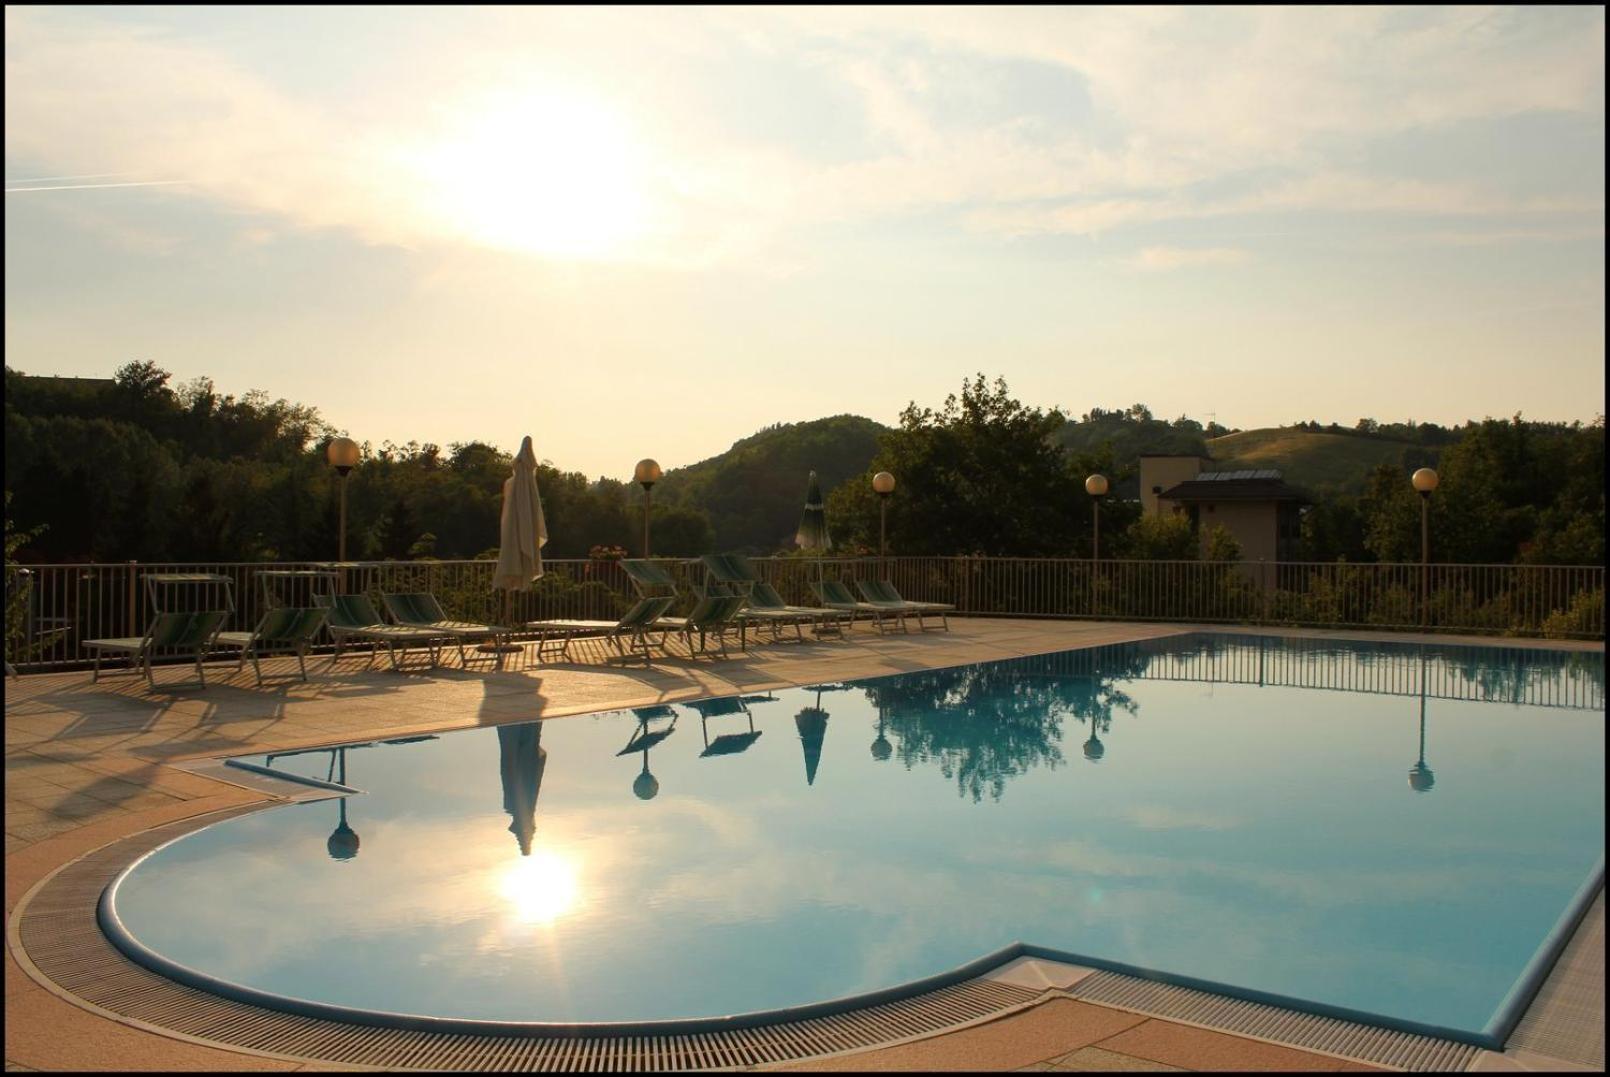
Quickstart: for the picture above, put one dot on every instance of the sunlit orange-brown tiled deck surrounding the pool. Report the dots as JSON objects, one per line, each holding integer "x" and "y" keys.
{"x": 93, "y": 764}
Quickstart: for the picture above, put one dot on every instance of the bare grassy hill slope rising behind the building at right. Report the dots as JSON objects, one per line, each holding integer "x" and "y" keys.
{"x": 1318, "y": 461}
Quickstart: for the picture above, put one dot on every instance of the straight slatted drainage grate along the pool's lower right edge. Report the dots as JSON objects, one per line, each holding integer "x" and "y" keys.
{"x": 1368, "y": 1044}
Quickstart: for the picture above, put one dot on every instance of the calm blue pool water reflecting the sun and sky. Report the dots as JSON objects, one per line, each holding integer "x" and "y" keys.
{"x": 1266, "y": 814}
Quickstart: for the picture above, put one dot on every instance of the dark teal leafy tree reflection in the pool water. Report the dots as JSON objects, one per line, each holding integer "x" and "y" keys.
{"x": 988, "y": 724}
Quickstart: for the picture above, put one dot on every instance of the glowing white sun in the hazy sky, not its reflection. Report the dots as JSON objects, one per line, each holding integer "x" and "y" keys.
{"x": 540, "y": 171}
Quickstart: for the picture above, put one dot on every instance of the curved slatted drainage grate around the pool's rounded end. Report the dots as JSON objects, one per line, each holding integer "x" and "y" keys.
{"x": 59, "y": 933}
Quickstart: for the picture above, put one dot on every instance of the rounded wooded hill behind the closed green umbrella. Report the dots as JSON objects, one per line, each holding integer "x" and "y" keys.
{"x": 756, "y": 490}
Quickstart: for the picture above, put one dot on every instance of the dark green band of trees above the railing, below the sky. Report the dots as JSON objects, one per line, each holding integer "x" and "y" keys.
{"x": 134, "y": 469}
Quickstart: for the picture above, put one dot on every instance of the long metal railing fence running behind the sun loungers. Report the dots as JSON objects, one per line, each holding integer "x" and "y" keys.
{"x": 52, "y": 609}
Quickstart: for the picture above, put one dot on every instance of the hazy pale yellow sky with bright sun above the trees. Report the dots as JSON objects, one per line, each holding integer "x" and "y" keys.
{"x": 653, "y": 231}
